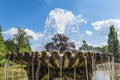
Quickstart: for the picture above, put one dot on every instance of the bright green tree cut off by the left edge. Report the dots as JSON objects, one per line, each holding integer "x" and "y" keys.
{"x": 3, "y": 49}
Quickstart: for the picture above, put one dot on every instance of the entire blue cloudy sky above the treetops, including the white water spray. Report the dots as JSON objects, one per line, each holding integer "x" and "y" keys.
{"x": 78, "y": 19}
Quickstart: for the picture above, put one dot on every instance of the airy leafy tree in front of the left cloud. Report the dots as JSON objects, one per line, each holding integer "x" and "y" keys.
{"x": 22, "y": 40}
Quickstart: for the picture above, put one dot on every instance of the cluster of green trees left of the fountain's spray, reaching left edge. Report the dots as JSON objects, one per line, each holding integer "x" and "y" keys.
{"x": 20, "y": 43}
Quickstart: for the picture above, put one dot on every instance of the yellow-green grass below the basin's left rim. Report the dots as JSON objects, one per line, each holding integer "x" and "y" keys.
{"x": 19, "y": 73}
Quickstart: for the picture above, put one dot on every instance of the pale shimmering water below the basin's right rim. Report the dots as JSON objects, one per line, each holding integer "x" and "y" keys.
{"x": 105, "y": 71}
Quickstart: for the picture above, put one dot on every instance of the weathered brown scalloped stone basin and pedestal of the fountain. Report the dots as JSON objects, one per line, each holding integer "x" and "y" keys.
{"x": 82, "y": 62}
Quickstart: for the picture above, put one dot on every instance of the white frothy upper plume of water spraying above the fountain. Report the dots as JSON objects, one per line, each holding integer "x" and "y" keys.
{"x": 60, "y": 20}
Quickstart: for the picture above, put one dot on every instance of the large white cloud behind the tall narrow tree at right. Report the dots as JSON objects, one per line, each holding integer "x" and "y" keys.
{"x": 103, "y": 26}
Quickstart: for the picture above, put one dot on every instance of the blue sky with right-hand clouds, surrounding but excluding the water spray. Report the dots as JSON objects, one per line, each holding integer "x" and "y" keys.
{"x": 32, "y": 15}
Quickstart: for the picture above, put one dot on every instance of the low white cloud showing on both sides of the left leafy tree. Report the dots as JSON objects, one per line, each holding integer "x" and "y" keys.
{"x": 13, "y": 30}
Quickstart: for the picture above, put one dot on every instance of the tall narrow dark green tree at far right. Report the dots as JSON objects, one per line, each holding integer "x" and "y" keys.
{"x": 113, "y": 43}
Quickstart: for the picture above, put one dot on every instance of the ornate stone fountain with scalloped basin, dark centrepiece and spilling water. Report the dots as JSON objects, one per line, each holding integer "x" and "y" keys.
{"x": 60, "y": 61}
